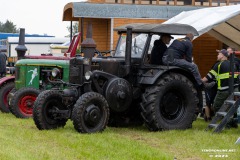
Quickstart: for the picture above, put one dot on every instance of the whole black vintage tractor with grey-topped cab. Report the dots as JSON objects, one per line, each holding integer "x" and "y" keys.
{"x": 123, "y": 88}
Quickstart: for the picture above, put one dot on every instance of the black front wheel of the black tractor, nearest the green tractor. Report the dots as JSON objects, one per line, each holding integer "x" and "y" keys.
{"x": 43, "y": 110}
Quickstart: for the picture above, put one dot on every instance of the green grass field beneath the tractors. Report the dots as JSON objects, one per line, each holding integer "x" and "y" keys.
{"x": 21, "y": 140}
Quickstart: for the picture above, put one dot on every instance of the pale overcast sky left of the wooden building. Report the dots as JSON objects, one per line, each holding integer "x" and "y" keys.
{"x": 36, "y": 16}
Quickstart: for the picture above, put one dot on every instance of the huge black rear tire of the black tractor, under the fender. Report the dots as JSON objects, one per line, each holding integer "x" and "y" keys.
{"x": 170, "y": 104}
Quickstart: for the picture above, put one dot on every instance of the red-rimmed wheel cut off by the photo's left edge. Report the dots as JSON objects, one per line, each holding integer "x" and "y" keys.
{"x": 4, "y": 91}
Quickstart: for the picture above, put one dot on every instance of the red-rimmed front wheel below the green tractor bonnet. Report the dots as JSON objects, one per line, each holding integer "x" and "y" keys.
{"x": 22, "y": 102}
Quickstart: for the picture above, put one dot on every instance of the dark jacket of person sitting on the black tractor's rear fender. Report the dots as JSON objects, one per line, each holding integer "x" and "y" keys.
{"x": 181, "y": 49}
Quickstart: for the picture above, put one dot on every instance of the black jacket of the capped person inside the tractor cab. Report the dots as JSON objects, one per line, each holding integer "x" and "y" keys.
{"x": 157, "y": 52}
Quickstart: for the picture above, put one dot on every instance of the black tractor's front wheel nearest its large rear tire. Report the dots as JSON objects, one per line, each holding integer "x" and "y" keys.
{"x": 90, "y": 113}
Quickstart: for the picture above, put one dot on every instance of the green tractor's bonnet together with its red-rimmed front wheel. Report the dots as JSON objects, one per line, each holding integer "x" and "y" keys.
{"x": 33, "y": 76}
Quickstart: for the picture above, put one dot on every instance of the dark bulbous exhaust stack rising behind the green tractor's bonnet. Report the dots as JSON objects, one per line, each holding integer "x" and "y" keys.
{"x": 21, "y": 48}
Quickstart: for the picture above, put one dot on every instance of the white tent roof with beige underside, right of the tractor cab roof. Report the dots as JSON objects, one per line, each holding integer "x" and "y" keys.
{"x": 223, "y": 23}
